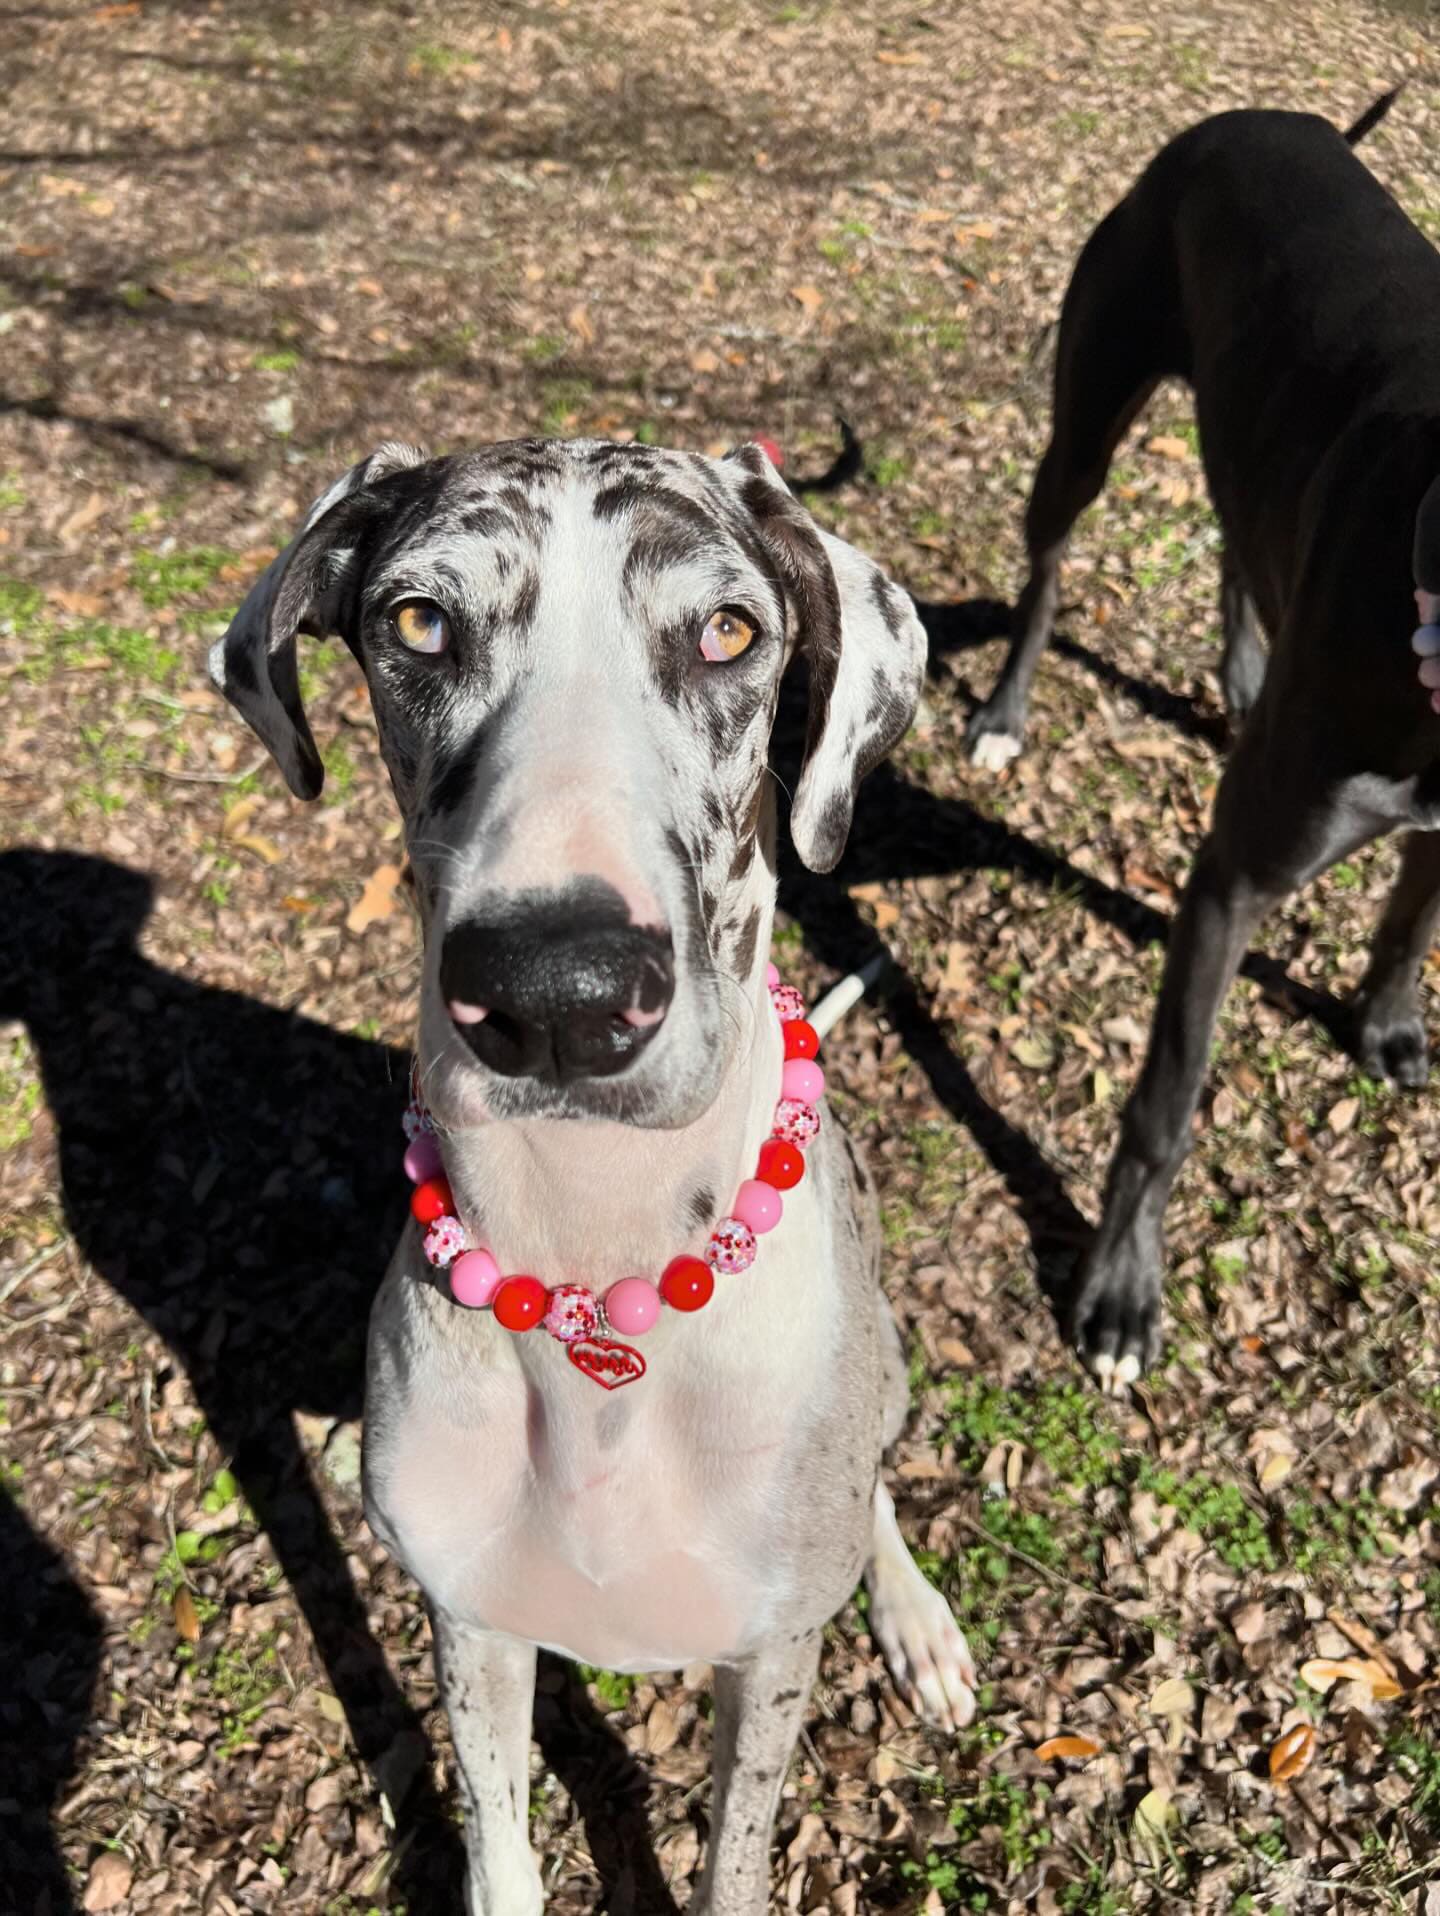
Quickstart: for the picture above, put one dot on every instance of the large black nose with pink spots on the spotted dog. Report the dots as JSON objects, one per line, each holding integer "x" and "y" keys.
{"x": 560, "y": 988}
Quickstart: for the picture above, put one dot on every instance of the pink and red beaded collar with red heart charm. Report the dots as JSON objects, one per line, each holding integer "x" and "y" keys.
{"x": 572, "y": 1313}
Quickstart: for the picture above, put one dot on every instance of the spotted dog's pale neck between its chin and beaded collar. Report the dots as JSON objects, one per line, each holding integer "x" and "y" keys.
{"x": 591, "y": 1202}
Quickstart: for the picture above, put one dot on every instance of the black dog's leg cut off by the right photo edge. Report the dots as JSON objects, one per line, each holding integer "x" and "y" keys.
{"x": 1389, "y": 1022}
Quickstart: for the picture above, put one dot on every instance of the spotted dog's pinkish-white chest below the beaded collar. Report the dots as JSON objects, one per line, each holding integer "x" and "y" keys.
{"x": 631, "y": 1530}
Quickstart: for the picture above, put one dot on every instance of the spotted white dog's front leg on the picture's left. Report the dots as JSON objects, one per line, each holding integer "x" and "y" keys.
{"x": 487, "y": 1683}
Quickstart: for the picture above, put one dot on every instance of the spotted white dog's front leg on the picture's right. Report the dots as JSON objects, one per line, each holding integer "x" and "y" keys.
{"x": 757, "y": 1716}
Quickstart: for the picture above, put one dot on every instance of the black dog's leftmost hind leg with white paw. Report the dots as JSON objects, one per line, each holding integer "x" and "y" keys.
{"x": 1106, "y": 369}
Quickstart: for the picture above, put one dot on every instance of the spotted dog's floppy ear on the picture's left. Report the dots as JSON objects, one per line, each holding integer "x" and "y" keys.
{"x": 298, "y": 593}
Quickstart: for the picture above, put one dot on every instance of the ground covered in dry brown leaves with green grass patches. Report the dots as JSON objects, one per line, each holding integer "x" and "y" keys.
{"x": 248, "y": 242}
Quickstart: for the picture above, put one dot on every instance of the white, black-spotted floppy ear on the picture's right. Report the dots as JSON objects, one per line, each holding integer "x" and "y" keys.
{"x": 865, "y": 649}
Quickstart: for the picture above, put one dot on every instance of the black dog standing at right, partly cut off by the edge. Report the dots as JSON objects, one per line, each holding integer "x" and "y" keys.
{"x": 1261, "y": 262}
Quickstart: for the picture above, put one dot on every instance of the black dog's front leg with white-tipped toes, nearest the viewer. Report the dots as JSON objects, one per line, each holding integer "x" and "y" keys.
{"x": 1278, "y": 825}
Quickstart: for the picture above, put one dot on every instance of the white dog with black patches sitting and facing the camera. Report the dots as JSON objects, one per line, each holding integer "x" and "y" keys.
{"x": 575, "y": 654}
